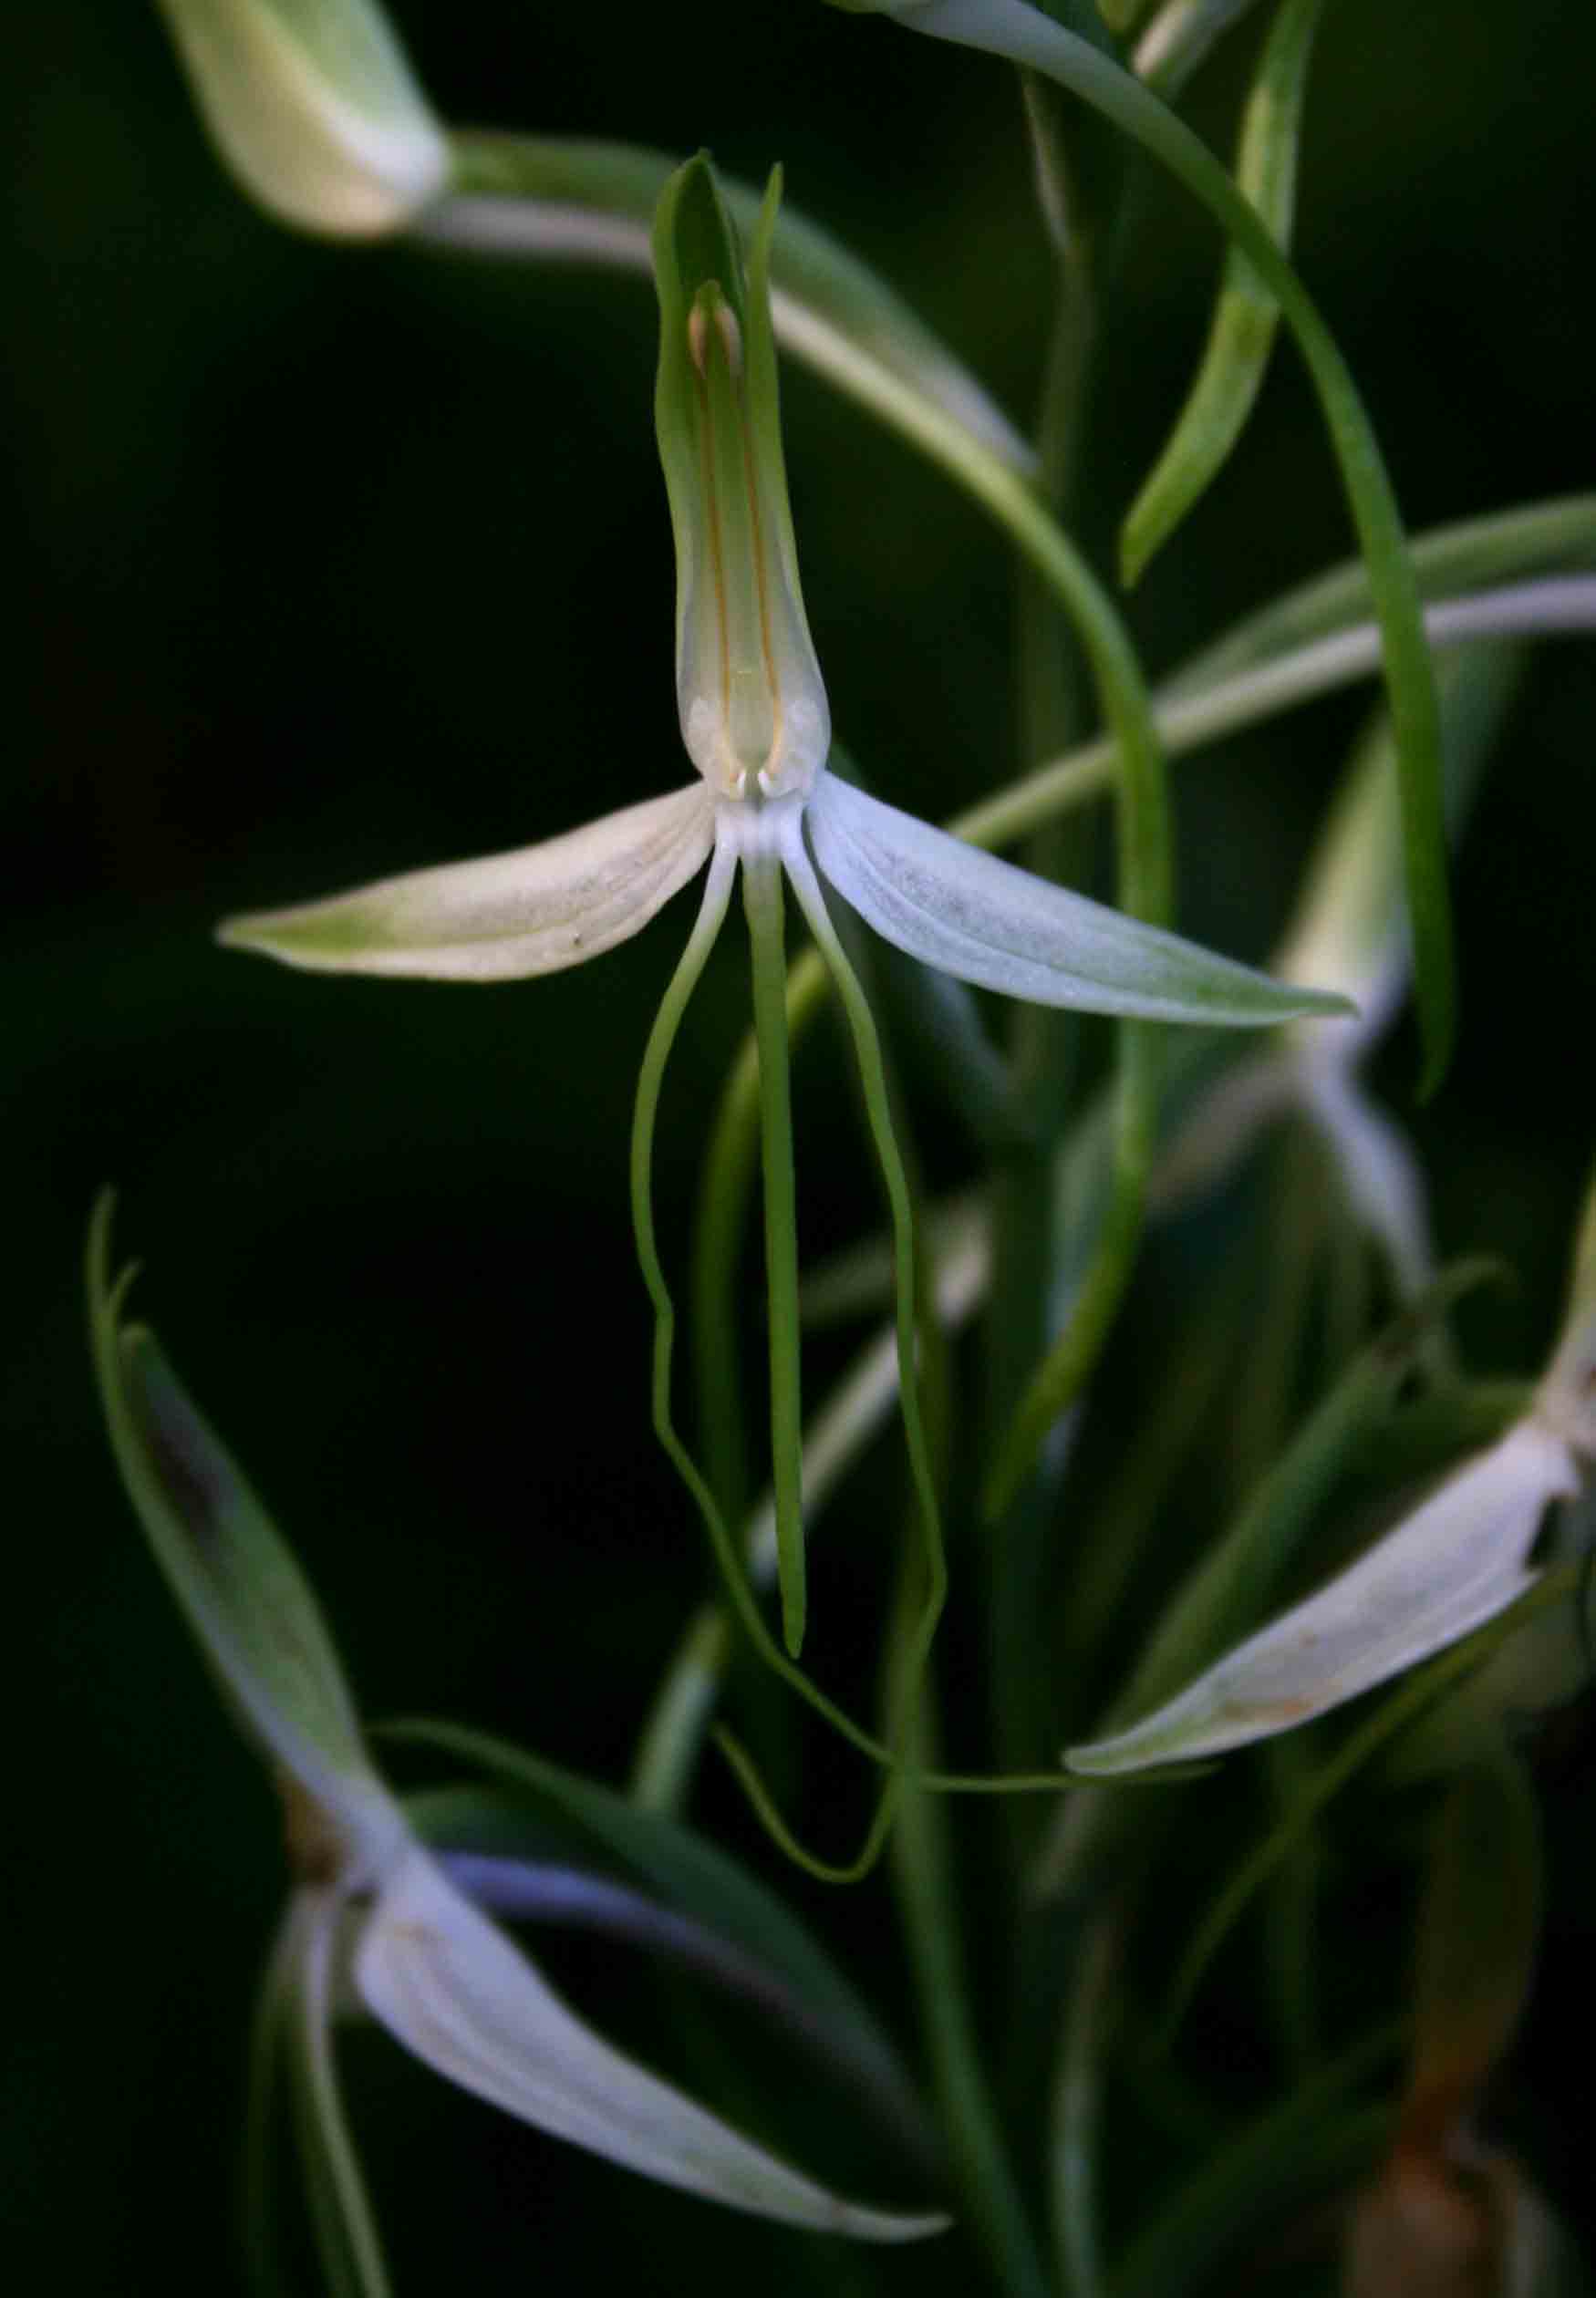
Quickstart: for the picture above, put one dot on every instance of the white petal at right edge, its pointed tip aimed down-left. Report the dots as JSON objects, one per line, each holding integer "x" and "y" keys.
{"x": 1445, "y": 1571}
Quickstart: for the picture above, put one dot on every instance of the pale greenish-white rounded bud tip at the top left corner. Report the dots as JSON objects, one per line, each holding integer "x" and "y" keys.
{"x": 314, "y": 109}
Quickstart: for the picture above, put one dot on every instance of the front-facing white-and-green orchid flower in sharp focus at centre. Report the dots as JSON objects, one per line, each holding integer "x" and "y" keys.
{"x": 758, "y": 727}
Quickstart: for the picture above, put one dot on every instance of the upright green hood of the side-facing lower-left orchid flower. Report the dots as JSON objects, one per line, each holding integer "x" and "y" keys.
{"x": 224, "y": 1559}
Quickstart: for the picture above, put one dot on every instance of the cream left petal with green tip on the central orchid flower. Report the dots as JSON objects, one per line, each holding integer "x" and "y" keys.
{"x": 507, "y": 916}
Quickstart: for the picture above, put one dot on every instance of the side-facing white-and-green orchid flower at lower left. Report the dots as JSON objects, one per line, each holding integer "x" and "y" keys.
{"x": 374, "y": 1913}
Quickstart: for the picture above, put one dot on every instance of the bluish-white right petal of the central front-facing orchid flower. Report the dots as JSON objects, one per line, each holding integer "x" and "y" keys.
{"x": 995, "y": 925}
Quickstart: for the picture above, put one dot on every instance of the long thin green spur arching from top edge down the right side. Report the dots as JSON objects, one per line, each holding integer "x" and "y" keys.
{"x": 1027, "y": 38}
